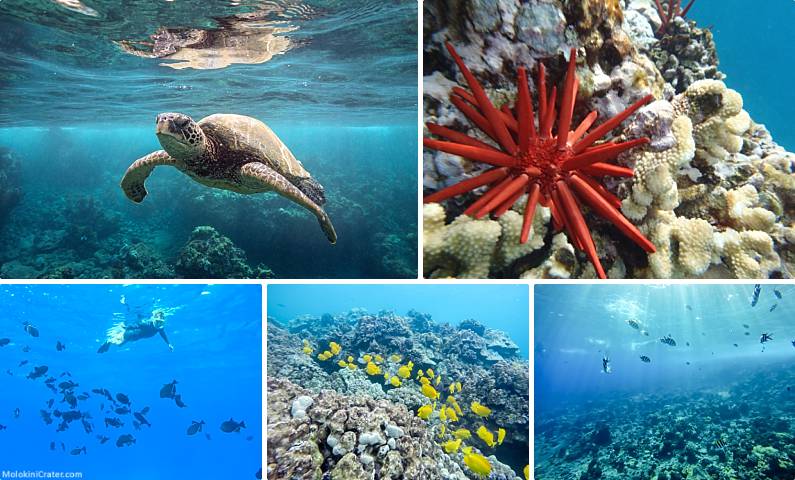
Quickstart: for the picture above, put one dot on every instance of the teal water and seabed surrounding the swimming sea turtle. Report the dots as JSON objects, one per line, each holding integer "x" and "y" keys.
{"x": 77, "y": 108}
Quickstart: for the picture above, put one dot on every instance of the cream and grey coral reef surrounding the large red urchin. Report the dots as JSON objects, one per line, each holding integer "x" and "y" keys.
{"x": 711, "y": 190}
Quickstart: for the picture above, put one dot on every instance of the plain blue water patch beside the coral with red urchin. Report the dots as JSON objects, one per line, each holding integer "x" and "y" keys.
{"x": 754, "y": 44}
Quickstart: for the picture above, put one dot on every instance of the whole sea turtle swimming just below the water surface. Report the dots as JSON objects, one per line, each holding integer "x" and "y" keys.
{"x": 232, "y": 152}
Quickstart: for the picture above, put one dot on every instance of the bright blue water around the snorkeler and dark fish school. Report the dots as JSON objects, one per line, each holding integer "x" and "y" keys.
{"x": 216, "y": 334}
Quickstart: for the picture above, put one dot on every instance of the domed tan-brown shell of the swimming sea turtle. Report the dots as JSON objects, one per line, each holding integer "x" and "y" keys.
{"x": 248, "y": 139}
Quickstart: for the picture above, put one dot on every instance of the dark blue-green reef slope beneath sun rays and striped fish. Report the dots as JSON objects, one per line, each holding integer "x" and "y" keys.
{"x": 674, "y": 436}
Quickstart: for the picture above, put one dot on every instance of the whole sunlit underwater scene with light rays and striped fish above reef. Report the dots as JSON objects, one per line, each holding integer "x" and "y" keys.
{"x": 718, "y": 380}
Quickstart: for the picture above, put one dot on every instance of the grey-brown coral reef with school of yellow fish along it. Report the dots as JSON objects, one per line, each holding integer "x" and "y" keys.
{"x": 353, "y": 411}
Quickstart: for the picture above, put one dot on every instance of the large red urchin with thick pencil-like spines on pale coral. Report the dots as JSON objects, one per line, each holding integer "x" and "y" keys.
{"x": 556, "y": 170}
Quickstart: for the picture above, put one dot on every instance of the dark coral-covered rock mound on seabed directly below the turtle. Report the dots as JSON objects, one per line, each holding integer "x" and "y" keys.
{"x": 208, "y": 254}
